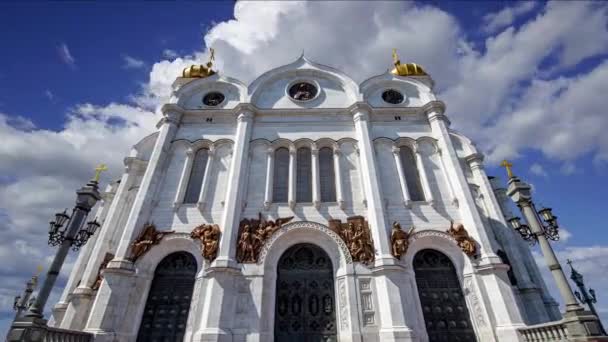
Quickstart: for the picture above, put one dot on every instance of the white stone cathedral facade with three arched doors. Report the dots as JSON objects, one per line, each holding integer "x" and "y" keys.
{"x": 283, "y": 211}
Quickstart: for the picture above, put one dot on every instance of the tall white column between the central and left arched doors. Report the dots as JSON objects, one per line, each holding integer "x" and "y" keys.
{"x": 218, "y": 309}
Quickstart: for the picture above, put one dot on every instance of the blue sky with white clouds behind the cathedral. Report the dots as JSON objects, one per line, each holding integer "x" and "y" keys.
{"x": 80, "y": 83}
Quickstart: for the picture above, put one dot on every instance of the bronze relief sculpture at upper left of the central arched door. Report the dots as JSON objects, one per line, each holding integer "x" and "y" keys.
{"x": 253, "y": 233}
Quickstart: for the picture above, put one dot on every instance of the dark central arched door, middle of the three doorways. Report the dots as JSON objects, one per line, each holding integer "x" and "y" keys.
{"x": 305, "y": 309}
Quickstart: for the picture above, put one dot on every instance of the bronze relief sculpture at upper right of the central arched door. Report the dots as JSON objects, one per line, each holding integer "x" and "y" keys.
{"x": 355, "y": 234}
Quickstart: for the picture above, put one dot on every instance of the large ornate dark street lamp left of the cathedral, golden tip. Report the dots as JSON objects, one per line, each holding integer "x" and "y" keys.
{"x": 74, "y": 235}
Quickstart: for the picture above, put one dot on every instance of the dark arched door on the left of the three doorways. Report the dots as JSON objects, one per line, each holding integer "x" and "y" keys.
{"x": 168, "y": 302}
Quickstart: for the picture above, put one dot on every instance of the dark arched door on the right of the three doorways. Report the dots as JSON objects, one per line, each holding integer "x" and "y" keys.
{"x": 443, "y": 305}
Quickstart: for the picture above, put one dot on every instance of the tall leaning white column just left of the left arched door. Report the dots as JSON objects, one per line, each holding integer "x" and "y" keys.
{"x": 118, "y": 276}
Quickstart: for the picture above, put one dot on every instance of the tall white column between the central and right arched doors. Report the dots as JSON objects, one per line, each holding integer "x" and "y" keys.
{"x": 388, "y": 275}
